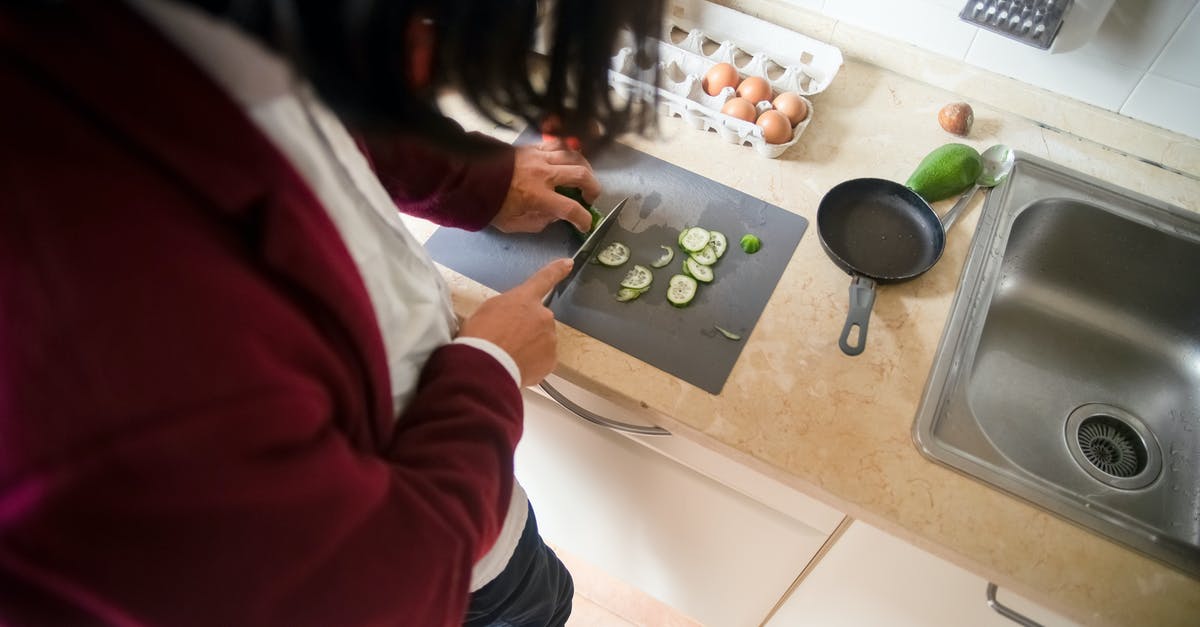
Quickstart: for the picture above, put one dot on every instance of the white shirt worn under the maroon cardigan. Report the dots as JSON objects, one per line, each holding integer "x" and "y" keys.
{"x": 411, "y": 300}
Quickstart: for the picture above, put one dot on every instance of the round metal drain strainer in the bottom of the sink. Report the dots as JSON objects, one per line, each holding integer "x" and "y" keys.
{"x": 1113, "y": 446}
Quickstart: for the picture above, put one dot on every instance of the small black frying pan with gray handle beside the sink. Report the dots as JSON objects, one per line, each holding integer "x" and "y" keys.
{"x": 879, "y": 231}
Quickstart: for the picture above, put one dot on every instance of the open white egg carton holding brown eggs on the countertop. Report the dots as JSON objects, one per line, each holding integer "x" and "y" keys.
{"x": 683, "y": 65}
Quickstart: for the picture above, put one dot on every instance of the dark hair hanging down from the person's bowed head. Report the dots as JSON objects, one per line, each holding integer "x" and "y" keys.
{"x": 355, "y": 53}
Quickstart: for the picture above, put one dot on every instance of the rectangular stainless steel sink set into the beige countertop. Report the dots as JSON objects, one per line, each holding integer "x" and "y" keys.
{"x": 1070, "y": 369}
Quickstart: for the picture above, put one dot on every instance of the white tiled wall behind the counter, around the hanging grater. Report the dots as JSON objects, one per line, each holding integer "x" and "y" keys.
{"x": 1149, "y": 45}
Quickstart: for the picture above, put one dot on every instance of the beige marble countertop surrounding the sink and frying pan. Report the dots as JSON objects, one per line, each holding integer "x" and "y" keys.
{"x": 837, "y": 427}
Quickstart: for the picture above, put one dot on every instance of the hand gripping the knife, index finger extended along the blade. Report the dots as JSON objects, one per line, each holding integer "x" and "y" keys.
{"x": 518, "y": 323}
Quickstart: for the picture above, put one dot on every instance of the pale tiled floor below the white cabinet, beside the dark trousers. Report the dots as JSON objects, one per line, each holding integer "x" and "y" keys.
{"x": 603, "y": 601}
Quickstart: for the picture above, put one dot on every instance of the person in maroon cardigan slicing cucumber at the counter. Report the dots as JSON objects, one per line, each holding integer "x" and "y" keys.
{"x": 232, "y": 386}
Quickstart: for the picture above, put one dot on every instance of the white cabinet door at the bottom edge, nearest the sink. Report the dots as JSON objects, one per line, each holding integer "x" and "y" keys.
{"x": 872, "y": 578}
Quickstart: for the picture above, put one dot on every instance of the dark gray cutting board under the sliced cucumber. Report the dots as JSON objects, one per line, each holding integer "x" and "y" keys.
{"x": 663, "y": 200}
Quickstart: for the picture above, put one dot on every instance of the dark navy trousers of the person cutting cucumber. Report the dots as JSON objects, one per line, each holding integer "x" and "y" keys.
{"x": 535, "y": 590}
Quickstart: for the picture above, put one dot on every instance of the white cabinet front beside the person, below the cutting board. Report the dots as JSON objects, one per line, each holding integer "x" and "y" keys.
{"x": 686, "y": 540}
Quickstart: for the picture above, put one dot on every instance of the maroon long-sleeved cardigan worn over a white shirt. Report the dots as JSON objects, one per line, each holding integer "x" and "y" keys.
{"x": 194, "y": 396}
